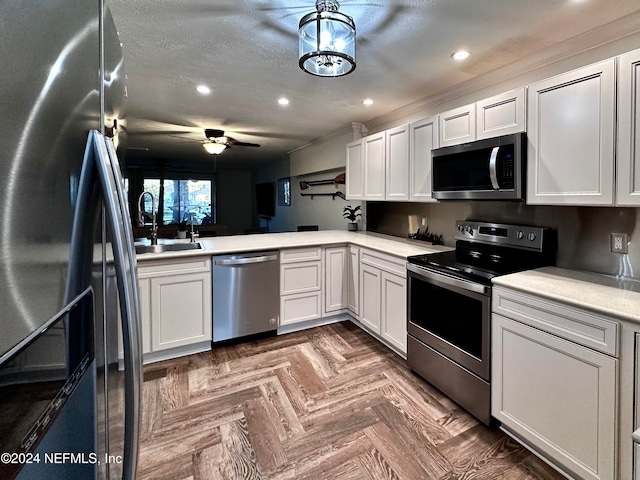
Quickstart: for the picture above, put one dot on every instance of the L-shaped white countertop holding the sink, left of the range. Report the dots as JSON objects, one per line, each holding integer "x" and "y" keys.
{"x": 276, "y": 241}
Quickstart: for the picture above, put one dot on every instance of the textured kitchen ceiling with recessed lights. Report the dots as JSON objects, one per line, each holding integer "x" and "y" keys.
{"x": 246, "y": 52}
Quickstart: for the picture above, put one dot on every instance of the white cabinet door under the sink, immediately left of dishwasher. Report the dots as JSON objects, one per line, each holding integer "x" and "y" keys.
{"x": 180, "y": 310}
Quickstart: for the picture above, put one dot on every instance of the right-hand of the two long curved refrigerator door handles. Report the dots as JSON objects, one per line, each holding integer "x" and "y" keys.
{"x": 119, "y": 222}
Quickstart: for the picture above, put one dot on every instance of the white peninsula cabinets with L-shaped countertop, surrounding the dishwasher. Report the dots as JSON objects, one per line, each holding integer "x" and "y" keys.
{"x": 325, "y": 276}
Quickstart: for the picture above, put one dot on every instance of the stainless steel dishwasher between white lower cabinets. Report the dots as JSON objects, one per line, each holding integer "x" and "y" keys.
{"x": 246, "y": 294}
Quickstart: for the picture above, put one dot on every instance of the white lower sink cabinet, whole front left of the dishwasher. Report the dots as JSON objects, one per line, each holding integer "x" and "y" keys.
{"x": 175, "y": 303}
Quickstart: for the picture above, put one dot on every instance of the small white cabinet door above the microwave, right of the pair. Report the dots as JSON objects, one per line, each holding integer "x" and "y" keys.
{"x": 501, "y": 114}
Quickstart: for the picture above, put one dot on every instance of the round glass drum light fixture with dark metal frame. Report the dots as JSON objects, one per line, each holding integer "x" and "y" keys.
{"x": 327, "y": 41}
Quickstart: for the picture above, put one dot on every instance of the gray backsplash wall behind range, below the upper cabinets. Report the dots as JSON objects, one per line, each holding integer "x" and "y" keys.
{"x": 583, "y": 232}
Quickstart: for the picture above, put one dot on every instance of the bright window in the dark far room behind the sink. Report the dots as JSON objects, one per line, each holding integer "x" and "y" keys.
{"x": 179, "y": 200}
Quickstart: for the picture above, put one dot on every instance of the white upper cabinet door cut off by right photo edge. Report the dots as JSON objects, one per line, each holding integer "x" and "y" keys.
{"x": 628, "y": 178}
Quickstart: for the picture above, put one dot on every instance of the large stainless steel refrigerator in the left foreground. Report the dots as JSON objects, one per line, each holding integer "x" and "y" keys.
{"x": 67, "y": 264}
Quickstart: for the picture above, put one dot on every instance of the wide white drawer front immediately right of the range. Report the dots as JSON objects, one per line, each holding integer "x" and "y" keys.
{"x": 573, "y": 324}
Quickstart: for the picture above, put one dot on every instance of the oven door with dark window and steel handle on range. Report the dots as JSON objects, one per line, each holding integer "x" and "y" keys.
{"x": 452, "y": 316}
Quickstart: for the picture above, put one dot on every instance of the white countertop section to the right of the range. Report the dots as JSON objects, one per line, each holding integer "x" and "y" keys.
{"x": 599, "y": 293}
